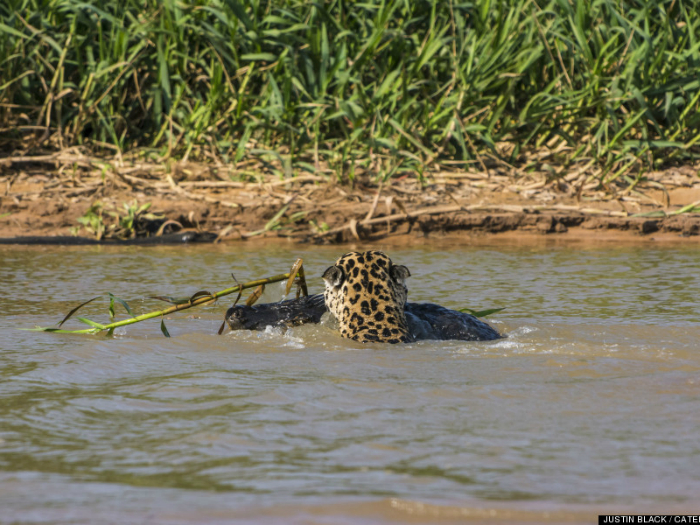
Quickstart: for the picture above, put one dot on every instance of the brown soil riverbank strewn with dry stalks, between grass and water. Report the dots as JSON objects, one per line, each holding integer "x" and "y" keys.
{"x": 46, "y": 195}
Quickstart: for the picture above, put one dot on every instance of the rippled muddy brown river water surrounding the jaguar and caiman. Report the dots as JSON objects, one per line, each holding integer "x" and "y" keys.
{"x": 591, "y": 405}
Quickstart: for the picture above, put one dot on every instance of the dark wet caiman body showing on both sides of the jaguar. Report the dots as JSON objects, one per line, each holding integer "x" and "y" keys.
{"x": 426, "y": 321}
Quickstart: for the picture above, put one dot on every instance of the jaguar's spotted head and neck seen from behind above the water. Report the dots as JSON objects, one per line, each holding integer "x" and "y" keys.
{"x": 367, "y": 293}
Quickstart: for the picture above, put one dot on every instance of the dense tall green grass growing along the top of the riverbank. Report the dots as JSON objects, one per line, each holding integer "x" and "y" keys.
{"x": 385, "y": 87}
